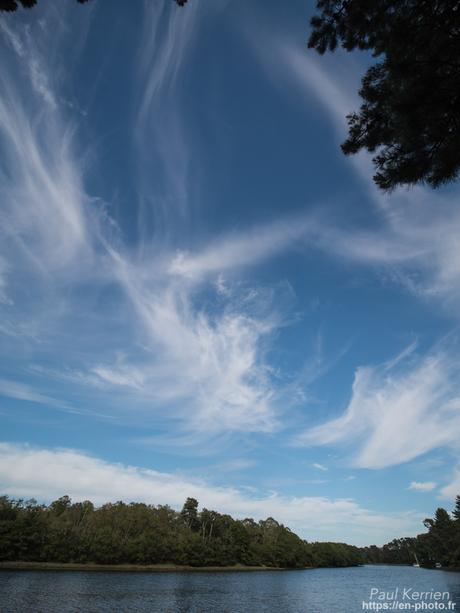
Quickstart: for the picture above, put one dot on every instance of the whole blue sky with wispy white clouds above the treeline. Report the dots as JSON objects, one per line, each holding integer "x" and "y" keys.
{"x": 199, "y": 294}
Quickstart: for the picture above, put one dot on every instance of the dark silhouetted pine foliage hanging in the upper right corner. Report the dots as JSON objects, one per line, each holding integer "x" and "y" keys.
{"x": 410, "y": 115}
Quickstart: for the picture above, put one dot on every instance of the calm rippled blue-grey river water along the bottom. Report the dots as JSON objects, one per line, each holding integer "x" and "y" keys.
{"x": 313, "y": 591}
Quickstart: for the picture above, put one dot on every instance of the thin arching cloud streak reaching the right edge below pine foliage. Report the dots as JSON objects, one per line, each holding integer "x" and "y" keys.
{"x": 416, "y": 246}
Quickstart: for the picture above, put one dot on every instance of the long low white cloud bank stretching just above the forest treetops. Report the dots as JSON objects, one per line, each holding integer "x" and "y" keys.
{"x": 49, "y": 473}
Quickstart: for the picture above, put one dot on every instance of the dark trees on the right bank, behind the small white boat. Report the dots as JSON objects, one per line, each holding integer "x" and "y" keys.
{"x": 439, "y": 545}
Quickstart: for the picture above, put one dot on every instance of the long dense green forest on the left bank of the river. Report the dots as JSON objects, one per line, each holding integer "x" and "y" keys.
{"x": 137, "y": 533}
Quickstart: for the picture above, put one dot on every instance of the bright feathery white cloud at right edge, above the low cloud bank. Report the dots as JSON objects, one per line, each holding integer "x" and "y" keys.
{"x": 397, "y": 412}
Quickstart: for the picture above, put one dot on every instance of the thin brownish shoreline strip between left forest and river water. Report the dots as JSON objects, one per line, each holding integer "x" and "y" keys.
{"x": 155, "y": 568}
